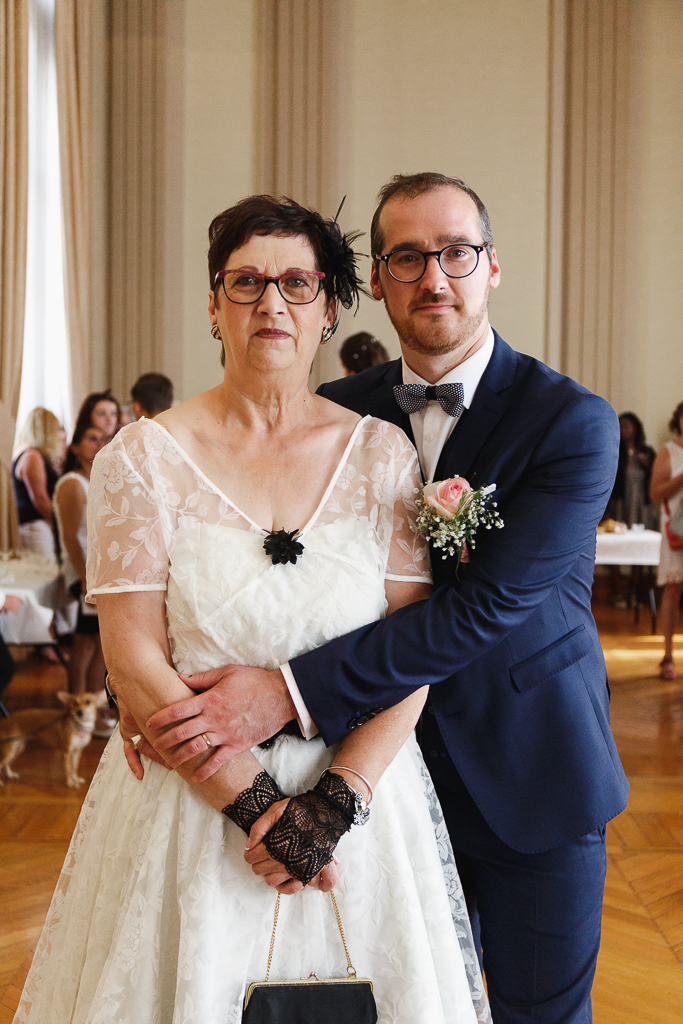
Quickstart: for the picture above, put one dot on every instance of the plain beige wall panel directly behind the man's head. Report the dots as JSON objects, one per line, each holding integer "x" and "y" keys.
{"x": 459, "y": 87}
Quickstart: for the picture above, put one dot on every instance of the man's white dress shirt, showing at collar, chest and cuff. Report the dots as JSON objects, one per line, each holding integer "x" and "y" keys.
{"x": 432, "y": 430}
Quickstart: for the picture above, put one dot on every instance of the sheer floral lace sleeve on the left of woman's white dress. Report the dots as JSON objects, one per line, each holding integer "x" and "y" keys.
{"x": 127, "y": 529}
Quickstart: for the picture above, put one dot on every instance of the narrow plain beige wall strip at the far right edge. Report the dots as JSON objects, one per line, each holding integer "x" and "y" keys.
{"x": 655, "y": 305}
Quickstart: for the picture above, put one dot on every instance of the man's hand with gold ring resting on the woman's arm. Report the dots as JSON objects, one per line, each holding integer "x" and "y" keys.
{"x": 241, "y": 707}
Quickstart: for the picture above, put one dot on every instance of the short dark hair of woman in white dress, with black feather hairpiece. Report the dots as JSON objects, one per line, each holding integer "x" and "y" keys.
{"x": 287, "y": 219}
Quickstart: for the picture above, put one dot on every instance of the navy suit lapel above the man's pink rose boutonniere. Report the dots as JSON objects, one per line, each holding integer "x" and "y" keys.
{"x": 492, "y": 400}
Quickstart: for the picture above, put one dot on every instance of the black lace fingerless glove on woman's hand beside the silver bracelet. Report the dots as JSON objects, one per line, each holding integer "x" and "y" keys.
{"x": 306, "y": 837}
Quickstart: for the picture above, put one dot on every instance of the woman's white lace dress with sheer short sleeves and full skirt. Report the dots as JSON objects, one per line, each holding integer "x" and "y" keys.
{"x": 157, "y": 919}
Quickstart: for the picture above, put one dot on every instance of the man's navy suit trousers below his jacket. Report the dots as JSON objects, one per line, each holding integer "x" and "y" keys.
{"x": 535, "y": 917}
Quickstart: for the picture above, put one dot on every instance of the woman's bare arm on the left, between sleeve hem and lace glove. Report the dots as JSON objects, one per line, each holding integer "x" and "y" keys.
{"x": 139, "y": 660}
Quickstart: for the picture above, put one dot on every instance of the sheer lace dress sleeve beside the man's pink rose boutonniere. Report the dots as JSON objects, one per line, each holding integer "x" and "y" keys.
{"x": 396, "y": 477}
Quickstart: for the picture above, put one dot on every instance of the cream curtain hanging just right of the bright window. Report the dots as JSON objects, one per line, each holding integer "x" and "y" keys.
{"x": 74, "y": 59}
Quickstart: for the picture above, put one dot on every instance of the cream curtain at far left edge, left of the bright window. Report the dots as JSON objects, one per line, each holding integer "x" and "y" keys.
{"x": 14, "y": 212}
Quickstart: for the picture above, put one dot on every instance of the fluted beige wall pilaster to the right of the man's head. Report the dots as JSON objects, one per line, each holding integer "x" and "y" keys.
{"x": 586, "y": 328}
